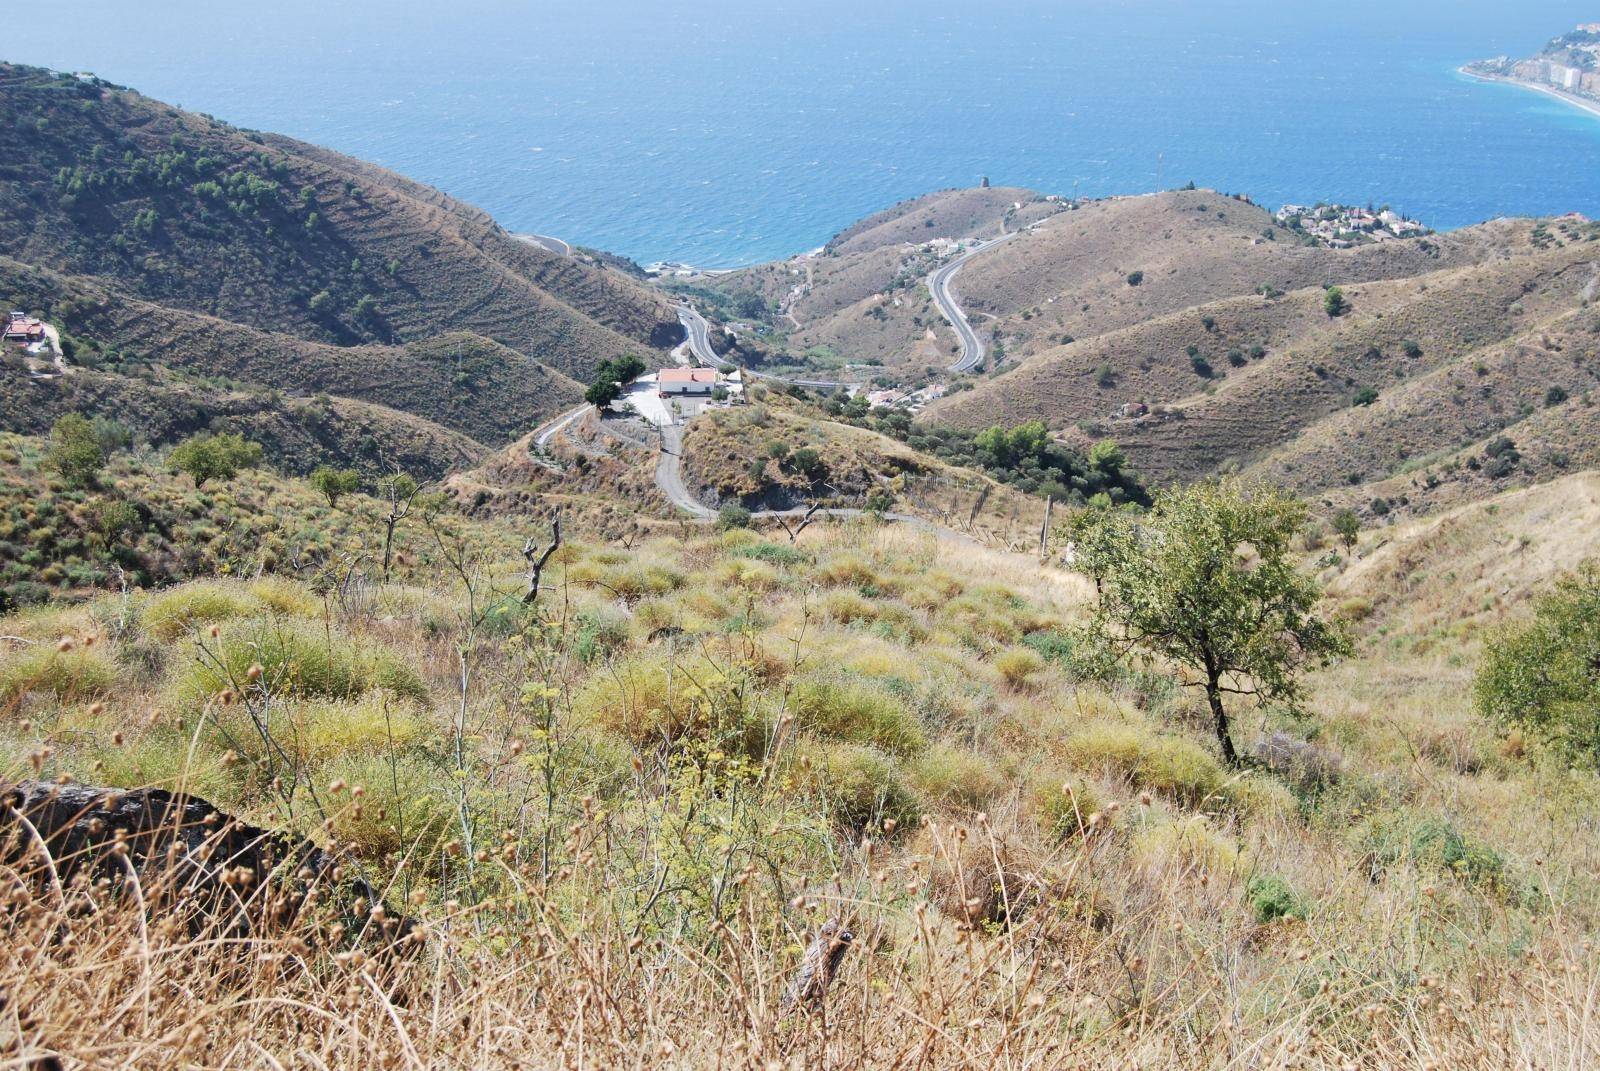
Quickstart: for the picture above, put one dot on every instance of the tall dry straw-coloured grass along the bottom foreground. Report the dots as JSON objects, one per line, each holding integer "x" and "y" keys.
{"x": 969, "y": 953}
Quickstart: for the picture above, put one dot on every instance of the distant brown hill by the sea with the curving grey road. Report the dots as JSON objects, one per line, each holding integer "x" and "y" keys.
{"x": 1063, "y": 278}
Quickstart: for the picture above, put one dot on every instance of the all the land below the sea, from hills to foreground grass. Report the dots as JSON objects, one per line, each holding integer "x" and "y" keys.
{"x": 1028, "y": 632}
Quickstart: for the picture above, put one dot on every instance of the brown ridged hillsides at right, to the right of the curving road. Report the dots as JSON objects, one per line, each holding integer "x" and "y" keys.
{"x": 1442, "y": 345}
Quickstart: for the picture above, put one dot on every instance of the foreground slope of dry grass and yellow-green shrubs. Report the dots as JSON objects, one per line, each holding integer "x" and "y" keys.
{"x": 726, "y": 707}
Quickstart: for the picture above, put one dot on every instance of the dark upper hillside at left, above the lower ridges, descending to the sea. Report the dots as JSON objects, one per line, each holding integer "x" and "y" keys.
{"x": 270, "y": 233}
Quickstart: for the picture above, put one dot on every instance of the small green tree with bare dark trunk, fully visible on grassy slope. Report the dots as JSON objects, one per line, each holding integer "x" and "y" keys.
{"x": 1209, "y": 582}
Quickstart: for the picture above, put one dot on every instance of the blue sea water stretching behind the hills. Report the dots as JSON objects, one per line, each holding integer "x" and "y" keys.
{"x": 727, "y": 132}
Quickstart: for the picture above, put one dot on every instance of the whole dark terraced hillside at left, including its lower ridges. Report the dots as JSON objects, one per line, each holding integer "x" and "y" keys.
{"x": 209, "y": 276}
